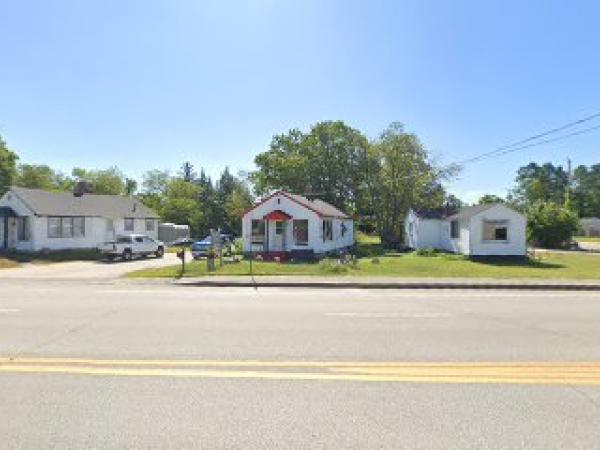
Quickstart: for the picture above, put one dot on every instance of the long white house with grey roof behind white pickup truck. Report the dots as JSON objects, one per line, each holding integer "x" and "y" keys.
{"x": 33, "y": 220}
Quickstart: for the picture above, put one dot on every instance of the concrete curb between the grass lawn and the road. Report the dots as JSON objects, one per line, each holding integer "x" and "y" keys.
{"x": 391, "y": 285}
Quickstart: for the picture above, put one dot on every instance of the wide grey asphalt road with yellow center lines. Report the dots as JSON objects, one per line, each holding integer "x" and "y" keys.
{"x": 118, "y": 365}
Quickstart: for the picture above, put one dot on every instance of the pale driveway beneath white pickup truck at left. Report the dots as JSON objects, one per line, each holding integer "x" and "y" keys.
{"x": 85, "y": 270}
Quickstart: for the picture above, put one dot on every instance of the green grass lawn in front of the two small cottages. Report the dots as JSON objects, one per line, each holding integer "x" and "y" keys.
{"x": 549, "y": 266}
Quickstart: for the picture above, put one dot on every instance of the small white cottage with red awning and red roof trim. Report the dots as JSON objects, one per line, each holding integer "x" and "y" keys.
{"x": 285, "y": 224}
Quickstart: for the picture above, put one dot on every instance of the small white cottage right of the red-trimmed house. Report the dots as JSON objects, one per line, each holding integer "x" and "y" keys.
{"x": 482, "y": 230}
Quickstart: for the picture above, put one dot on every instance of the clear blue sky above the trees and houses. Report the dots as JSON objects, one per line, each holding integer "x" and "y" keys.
{"x": 149, "y": 84}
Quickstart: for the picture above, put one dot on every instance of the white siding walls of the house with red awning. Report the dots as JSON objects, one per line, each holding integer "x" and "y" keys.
{"x": 298, "y": 212}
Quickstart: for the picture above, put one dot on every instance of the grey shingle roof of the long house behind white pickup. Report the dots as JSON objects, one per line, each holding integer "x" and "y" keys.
{"x": 44, "y": 203}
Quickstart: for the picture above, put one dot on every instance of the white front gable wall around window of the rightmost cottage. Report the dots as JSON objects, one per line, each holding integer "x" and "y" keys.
{"x": 515, "y": 245}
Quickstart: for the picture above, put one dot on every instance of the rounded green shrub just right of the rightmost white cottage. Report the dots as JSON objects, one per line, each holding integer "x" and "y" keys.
{"x": 550, "y": 225}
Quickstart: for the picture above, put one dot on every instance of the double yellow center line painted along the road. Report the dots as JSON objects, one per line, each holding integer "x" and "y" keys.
{"x": 553, "y": 373}
